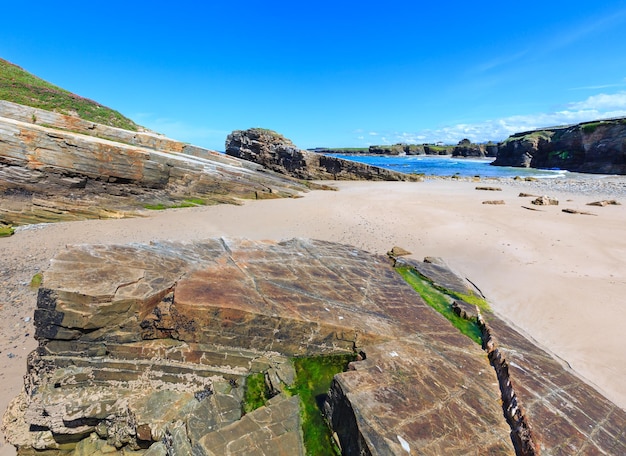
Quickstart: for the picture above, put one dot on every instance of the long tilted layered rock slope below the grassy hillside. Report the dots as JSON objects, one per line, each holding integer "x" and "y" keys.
{"x": 57, "y": 167}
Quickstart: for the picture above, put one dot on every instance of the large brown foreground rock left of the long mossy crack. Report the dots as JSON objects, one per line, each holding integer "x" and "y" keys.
{"x": 143, "y": 336}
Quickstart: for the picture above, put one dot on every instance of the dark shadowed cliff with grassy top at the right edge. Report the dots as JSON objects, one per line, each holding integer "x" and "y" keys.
{"x": 590, "y": 147}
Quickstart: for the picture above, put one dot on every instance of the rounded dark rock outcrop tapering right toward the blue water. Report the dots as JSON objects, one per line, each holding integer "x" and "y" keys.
{"x": 279, "y": 154}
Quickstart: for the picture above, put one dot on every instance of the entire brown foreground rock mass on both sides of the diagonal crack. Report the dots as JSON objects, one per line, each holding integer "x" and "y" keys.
{"x": 147, "y": 348}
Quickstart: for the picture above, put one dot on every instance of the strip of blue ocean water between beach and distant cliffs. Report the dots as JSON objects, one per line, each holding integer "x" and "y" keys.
{"x": 448, "y": 166}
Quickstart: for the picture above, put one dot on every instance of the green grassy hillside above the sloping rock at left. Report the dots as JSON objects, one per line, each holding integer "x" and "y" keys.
{"x": 19, "y": 86}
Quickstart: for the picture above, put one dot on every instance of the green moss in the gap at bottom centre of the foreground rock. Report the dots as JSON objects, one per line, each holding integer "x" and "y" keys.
{"x": 313, "y": 379}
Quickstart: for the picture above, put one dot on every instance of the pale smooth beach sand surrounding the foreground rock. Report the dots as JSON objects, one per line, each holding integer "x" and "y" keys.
{"x": 560, "y": 278}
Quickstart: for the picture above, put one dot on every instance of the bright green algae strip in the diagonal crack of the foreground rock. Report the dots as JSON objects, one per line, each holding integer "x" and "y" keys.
{"x": 441, "y": 302}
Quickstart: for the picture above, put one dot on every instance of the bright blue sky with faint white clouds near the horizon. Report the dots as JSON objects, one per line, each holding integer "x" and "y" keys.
{"x": 331, "y": 73}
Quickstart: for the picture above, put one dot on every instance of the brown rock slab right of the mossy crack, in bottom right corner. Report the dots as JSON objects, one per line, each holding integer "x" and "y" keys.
{"x": 564, "y": 414}
